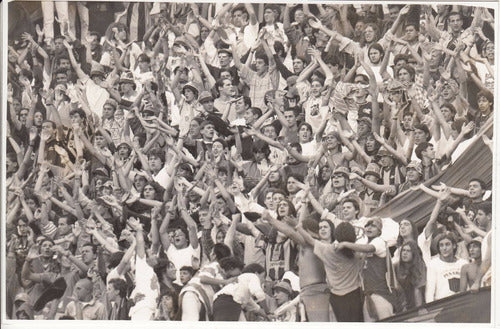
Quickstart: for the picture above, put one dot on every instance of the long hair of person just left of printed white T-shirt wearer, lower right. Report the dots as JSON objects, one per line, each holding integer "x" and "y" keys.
{"x": 410, "y": 273}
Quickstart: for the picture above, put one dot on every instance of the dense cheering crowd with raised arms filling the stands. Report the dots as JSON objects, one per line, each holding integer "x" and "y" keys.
{"x": 223, "y": 165}
